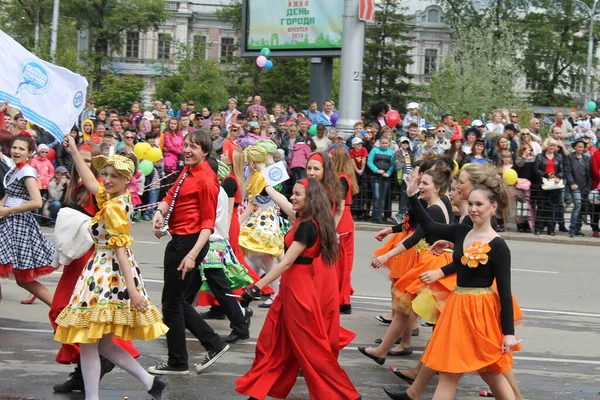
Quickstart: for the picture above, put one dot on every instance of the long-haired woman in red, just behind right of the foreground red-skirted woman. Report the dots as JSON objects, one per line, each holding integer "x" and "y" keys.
{"x": 344, "y": 166}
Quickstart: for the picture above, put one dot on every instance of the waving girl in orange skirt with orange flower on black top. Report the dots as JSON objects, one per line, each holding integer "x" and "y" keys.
{"x": 468, "y": 336}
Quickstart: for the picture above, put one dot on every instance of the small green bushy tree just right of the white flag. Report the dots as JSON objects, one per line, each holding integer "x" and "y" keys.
{"x": 119, "y": 92}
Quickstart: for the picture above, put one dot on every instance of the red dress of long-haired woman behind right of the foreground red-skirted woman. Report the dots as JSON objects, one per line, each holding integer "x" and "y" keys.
{"x": 345, "y": 230}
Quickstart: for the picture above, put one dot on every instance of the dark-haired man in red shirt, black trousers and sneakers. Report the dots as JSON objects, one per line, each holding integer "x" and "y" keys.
{"x": 189, "y": 212}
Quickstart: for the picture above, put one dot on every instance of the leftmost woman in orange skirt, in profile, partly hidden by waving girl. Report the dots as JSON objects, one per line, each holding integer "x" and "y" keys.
{"x": 434, "y": 184}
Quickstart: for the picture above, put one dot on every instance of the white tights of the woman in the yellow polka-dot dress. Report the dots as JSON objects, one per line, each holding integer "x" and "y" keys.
{"x": 90, "y": 365}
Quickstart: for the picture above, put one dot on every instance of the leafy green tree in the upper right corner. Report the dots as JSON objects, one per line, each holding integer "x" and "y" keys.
{"x": 555, "y": 50}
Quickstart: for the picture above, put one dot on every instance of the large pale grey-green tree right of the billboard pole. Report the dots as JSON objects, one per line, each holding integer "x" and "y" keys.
{"x": 480, "y": 74}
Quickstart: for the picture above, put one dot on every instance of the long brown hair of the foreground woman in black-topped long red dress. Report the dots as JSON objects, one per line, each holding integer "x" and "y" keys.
{"x": 317, "y": 210}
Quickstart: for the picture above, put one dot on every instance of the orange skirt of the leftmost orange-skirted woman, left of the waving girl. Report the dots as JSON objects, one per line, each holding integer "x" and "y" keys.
{"x": 407, "y": 287}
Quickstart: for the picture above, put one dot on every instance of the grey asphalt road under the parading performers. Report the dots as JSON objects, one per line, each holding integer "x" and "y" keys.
{"x": 555, "y": 284}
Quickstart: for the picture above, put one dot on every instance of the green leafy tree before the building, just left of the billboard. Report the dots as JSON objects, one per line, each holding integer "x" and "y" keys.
{"x": 195, "y": 79}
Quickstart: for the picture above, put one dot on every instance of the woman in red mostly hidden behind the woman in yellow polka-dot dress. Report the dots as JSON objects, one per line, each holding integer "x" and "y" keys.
{"x": 82, "y": 200}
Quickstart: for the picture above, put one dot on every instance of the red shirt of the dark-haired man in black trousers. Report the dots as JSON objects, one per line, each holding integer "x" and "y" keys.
{"x": 196, "y": 204}
